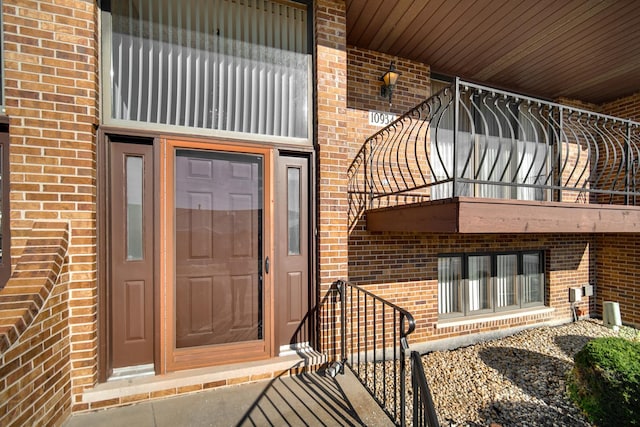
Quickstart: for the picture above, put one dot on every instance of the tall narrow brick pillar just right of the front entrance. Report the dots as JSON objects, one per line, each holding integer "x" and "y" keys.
{"x": 331, "y": 134}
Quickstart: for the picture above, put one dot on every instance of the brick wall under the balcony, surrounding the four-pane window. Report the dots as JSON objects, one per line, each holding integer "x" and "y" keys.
{"x": 403, "y": 268}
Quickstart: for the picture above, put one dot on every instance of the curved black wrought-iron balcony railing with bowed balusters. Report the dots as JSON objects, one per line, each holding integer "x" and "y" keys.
{"x": 476, "y": 141}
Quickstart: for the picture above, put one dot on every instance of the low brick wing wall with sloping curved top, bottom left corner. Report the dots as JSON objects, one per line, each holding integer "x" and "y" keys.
{"x": 35, "y": 366}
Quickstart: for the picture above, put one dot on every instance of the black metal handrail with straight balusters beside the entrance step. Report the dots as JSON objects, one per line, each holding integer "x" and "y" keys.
{"x": 373, "y": 343}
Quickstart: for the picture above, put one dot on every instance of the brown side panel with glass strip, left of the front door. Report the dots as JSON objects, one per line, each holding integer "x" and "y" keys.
{"x": 131, "y": 288}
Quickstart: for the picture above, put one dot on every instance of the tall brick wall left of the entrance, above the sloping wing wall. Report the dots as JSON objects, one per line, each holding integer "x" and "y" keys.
{"x": 51, "y": 97}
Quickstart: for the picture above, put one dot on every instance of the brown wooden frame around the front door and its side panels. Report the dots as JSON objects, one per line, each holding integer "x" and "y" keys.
{"x": 106, "y": 134}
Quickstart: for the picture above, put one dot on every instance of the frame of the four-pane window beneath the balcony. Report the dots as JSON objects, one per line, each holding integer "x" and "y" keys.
{"x": 463, "y": 286}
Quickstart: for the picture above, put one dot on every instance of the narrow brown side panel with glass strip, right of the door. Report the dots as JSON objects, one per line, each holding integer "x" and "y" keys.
{"x": 292, "y": 251}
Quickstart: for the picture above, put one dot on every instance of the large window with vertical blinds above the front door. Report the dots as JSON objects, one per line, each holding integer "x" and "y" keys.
{"x": 223, "y": 65}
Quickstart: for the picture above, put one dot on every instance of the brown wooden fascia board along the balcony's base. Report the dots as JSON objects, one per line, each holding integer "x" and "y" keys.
{"x": 475, "y": 215}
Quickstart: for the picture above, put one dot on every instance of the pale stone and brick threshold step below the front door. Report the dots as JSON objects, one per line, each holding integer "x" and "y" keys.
{"x": 121, "y": 391}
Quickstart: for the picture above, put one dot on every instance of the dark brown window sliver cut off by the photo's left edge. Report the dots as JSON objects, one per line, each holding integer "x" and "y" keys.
{"x": 5, "y": 237}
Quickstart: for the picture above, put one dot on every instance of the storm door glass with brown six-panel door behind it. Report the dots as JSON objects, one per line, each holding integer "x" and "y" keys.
{"x": 218, "y": 247}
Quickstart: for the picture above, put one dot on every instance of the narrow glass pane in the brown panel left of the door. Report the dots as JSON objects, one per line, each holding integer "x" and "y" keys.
{"x": 134, "y": 170}
